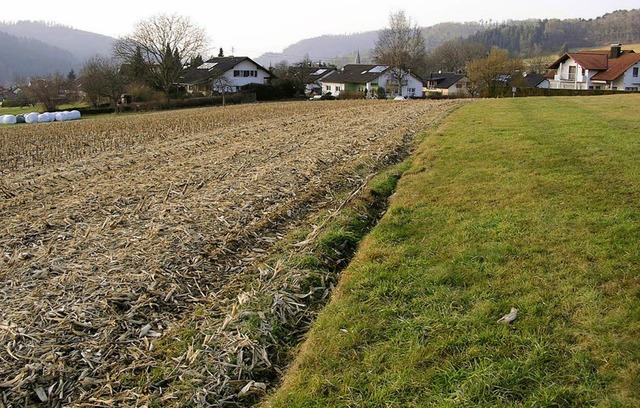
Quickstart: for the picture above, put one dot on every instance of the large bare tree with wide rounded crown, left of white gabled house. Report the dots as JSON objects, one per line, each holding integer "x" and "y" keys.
{"x": 166, "y": 43}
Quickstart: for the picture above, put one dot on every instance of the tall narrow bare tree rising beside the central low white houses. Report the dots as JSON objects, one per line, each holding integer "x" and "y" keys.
{"x": 401, "y": 46}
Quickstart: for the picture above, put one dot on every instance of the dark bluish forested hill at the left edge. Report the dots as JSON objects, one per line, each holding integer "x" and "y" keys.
{"x": 22, "y": 57}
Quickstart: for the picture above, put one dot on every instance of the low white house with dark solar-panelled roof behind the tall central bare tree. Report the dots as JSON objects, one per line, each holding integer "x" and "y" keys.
{"x": 370, "y": 80}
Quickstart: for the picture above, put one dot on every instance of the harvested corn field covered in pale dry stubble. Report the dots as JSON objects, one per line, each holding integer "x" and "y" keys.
{"x": 118, "y": 230}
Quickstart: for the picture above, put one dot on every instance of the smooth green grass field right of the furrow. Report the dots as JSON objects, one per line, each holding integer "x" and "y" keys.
{"x": 531, "y": 203}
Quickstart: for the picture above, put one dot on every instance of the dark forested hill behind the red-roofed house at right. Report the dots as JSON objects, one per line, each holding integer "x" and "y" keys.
{"x": 523, "y": 38}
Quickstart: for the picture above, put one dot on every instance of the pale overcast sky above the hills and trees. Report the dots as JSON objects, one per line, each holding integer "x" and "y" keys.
{"x": 252, "y": 27}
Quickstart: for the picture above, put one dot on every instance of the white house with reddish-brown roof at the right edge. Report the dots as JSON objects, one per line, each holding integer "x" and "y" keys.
{"x": 615, "y": 69}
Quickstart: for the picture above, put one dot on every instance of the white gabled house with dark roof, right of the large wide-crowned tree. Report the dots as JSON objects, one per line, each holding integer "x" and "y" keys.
{"x": 231, "y": 72}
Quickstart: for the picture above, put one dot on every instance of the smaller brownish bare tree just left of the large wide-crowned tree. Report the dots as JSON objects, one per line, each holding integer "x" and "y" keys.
{"x": 102, "y": 77}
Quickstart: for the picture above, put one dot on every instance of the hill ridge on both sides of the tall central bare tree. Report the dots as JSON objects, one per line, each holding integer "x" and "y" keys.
{"x": 519, "y": 37}
